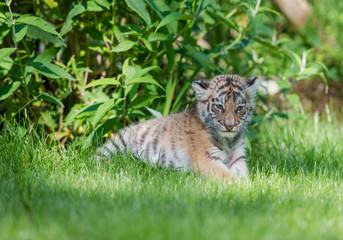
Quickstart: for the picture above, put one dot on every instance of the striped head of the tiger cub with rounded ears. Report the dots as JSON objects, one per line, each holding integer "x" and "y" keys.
{"x": 226, "y": 103}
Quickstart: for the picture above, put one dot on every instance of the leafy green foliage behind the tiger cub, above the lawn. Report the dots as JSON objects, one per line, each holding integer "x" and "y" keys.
{"x": 88, "y": 68}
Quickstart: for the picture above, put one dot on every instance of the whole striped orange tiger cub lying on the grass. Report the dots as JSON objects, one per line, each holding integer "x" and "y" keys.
{"x": 209, "y": 138}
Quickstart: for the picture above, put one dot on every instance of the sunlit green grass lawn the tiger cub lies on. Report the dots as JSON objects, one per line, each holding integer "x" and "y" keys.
{"x": 295, "y": 191}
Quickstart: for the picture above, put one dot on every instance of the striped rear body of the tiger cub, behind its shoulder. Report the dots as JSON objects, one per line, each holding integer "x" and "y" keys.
{"x": 164, "y": 140}
